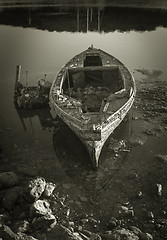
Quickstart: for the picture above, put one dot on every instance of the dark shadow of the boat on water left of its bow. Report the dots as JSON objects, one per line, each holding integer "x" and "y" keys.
{"x": 71, "y": 152}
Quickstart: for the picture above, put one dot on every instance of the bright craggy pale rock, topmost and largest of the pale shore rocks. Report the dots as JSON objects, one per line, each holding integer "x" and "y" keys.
{"x": 35, "y": 189}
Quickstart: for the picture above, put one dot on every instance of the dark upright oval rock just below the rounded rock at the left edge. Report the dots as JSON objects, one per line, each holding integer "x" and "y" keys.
{"x": 10, "y": 198}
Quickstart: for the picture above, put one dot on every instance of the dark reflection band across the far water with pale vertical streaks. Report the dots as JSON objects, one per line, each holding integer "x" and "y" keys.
{"x": 83, "y": 19}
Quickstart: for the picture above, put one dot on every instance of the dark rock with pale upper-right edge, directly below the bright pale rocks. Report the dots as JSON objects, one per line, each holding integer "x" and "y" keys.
{"x": 44, "y": 223}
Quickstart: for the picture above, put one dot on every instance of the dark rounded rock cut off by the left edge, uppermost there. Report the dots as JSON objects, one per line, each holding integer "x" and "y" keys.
{"x": 8, "y": 179}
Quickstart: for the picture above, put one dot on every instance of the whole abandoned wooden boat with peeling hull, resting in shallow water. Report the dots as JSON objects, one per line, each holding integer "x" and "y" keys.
{"x": 92, "y": 94}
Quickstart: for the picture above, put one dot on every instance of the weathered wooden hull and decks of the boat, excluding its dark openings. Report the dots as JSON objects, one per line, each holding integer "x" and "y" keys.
{"x": 93, "y": 129}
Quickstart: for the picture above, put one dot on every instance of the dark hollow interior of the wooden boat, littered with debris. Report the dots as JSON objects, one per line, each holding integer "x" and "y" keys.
{"x": 93, "y": 85}
